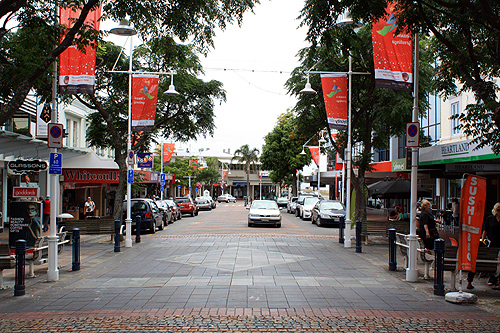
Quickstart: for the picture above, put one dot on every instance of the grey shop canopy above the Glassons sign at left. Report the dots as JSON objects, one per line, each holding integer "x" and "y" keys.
{"x": 14, "y": 145}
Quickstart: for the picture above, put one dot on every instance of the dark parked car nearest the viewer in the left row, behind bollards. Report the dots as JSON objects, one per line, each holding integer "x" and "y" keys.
{"x": 150, "y": 213}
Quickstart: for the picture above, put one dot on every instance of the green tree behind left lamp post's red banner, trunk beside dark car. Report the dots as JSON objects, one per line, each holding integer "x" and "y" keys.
{"x": 180, "y": 118}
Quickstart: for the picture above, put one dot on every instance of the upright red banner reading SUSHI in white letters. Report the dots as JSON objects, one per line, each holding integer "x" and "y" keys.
{"x": 472, "y": 203}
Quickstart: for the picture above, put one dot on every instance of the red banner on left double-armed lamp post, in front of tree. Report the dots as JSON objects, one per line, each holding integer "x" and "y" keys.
{"x": 144, "y": 95}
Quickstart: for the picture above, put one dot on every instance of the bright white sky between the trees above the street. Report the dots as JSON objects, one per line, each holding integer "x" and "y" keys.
{"x": 258, "y": 59}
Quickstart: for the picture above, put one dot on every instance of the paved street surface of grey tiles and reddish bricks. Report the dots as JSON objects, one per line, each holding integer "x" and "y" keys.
{"x": 211, "y": 273}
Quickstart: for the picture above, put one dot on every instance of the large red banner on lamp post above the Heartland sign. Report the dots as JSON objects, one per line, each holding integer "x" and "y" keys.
{"x": 392, "y": 55}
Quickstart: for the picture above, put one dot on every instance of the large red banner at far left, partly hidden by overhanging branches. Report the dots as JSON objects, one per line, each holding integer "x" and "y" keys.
{"x": 76, "y": 68}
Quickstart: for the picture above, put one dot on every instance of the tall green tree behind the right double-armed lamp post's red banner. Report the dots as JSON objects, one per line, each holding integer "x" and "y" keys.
{"x": 377, "y": 114}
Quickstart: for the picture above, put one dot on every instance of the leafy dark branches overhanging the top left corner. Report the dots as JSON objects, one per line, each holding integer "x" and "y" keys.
{"x": 30, "y": 47}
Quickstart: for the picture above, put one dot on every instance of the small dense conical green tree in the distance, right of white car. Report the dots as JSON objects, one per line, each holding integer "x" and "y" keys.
{"x": 281, "y": 151}
